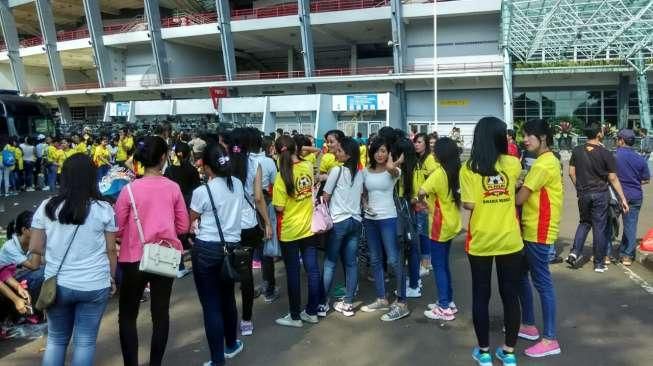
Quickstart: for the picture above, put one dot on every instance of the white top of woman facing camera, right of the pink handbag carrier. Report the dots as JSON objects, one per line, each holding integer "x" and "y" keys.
{"x": 380, "y": 198}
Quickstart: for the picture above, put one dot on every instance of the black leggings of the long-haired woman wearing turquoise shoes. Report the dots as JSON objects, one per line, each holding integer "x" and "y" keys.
{"x": 510, "y": 268}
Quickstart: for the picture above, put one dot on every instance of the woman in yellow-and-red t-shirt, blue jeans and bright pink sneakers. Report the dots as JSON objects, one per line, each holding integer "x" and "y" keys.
{"x": 541, "y": 196}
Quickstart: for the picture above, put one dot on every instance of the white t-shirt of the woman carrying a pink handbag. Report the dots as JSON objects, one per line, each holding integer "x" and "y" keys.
{"x": 346, "y": 198}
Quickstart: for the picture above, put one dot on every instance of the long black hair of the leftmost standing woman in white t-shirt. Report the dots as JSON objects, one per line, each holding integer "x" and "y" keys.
{"x": 78, "y": 190}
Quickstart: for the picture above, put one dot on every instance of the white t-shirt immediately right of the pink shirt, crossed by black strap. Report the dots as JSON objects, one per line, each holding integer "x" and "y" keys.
{"x": 229, "y": 206}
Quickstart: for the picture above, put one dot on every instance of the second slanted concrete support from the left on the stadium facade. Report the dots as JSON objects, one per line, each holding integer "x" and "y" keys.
{"x": 46, "y": 21}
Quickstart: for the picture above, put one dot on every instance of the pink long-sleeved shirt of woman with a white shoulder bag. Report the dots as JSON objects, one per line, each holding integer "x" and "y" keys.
{"x": 162, "y": 211}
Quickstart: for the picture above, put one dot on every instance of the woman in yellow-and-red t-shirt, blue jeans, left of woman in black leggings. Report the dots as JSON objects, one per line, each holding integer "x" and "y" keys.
{"x": 440, "y": 194}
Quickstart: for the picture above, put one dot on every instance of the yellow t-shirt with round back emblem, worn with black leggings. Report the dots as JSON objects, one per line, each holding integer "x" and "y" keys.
{"x": 493, "y": 224}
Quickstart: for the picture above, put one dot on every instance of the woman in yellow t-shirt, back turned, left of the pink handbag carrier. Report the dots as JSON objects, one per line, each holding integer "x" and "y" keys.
{"x": 292, "y": 198}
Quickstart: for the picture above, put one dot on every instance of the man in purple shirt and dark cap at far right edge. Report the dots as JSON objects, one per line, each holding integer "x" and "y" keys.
{"x": 632, "y": 171}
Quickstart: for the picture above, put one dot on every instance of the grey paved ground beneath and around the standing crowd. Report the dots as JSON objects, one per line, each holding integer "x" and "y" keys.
{"x": 603, "y": 319}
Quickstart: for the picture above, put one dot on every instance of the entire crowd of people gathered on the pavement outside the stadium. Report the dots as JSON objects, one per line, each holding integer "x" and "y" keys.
{"x": 236, "y": 199}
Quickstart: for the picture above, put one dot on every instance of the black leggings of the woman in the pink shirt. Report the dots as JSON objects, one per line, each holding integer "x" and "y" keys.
{"x": 131, "y": 290}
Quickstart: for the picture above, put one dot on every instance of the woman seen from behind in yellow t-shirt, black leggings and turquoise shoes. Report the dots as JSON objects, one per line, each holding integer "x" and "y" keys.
{"x": 487, "y": 185}
